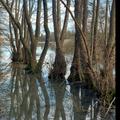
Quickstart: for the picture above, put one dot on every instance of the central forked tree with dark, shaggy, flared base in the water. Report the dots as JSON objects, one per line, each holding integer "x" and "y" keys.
{"x": 59, "y": 66}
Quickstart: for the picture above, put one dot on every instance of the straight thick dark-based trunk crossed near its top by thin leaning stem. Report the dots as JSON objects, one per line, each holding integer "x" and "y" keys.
{"x": 76, "y": 72}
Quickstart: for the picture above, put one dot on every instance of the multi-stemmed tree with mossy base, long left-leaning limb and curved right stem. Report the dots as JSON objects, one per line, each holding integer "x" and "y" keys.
{"x": 33, "y": 37}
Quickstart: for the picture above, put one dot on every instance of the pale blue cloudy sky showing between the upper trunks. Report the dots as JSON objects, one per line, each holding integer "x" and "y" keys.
{"x": 71, "y": 24}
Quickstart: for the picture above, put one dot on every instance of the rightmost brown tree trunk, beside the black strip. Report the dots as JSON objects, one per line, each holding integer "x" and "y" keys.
{"x": 108, "y": 55}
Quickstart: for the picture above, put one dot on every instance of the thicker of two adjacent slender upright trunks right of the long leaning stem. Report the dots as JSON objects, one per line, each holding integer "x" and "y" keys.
{"x": 96, "y": 31}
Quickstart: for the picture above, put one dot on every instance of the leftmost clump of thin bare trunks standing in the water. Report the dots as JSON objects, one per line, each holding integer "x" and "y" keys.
{"x": 16, "y": 45}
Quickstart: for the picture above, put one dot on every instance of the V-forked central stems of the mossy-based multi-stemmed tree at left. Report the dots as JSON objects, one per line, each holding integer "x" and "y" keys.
{"x": 34, "y": 39}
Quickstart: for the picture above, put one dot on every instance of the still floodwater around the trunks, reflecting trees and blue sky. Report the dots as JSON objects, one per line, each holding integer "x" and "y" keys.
{"x": 26, "y": 96}
